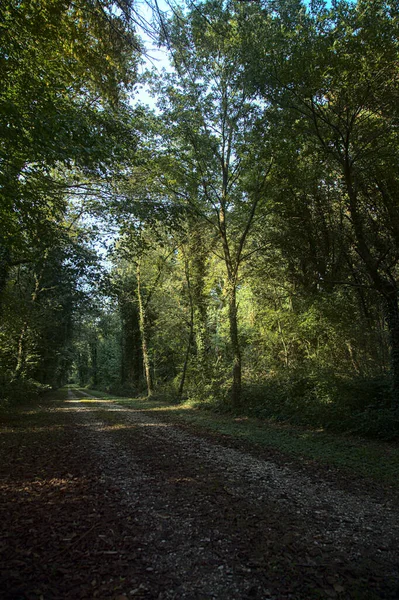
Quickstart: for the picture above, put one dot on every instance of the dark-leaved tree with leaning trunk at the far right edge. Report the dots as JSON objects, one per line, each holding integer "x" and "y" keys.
{"x": 346, "y": 100}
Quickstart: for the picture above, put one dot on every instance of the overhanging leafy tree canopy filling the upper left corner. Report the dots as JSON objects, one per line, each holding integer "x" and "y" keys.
{"x": 64, "y": 68}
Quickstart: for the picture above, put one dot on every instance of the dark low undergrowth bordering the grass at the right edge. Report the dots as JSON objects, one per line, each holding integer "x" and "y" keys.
{"x": 323, "y": 399}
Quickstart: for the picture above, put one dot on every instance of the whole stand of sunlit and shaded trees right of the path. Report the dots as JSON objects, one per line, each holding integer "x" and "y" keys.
{"x": 274, "y": 139}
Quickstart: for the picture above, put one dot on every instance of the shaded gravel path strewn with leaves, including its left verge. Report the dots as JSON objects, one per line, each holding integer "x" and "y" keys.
{"x": 103, "y": 501}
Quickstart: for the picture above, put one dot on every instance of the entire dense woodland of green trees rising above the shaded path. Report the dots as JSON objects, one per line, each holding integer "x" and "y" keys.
{"x": 235, "y": 241}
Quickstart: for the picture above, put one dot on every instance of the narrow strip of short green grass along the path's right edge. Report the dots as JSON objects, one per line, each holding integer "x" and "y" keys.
{"x": 376, "y": 460}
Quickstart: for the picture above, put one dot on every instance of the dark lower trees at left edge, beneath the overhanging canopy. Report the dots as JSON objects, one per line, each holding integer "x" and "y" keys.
{"x": 40, "y": 303}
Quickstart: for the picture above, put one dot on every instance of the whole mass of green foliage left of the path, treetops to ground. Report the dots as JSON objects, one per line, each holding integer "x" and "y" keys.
{"x": 64, "y": 127}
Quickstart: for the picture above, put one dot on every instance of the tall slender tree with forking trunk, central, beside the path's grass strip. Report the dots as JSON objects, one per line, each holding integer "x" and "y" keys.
{"x": 211, "y": 161}
